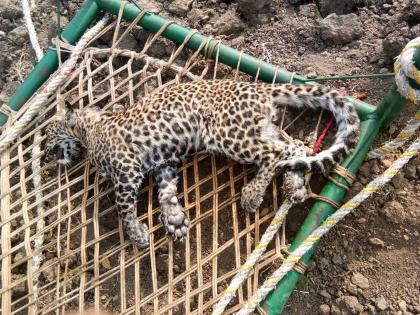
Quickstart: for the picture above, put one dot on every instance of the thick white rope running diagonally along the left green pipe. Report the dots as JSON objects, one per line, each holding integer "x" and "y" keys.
{"x": 11, "y": 133}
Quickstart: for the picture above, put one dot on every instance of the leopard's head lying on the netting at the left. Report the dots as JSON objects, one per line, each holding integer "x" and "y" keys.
{"x": 62, "y": 140}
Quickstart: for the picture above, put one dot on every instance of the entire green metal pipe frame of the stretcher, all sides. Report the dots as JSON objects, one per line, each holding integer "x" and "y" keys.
{"x": 374, "y": 119}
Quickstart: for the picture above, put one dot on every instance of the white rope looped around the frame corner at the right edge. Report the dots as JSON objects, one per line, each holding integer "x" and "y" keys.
{"x": 405, "y": 68}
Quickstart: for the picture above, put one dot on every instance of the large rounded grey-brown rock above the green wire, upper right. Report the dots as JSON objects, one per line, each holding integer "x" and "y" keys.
{"x": 340, "y": 29}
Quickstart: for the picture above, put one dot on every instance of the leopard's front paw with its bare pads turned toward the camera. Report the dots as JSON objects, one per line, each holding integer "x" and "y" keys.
{"x": 174, "y": 219}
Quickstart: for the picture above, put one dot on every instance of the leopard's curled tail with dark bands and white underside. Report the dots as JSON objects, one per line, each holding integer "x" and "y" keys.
{"x": 316, "y": 97}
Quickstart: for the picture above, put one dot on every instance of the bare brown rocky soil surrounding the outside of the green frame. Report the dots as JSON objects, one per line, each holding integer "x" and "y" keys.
{"x": 370, "y": 262}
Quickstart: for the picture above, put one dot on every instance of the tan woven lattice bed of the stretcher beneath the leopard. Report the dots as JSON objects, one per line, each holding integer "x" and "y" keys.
{"x": 87, "y": 261}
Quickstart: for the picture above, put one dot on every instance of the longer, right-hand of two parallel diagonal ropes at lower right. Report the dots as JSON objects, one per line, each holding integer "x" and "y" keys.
{"x": 314, "y": 237}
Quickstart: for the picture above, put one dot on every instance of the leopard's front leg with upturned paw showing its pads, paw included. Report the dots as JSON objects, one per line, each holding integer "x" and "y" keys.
{"x": 172, "y": 213}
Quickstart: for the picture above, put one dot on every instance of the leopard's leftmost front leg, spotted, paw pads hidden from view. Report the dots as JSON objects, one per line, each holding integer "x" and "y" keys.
{"x": 126, "y": 190}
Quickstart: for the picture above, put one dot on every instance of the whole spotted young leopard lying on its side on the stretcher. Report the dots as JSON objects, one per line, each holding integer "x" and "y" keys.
{"x": 237, "y": 119}
